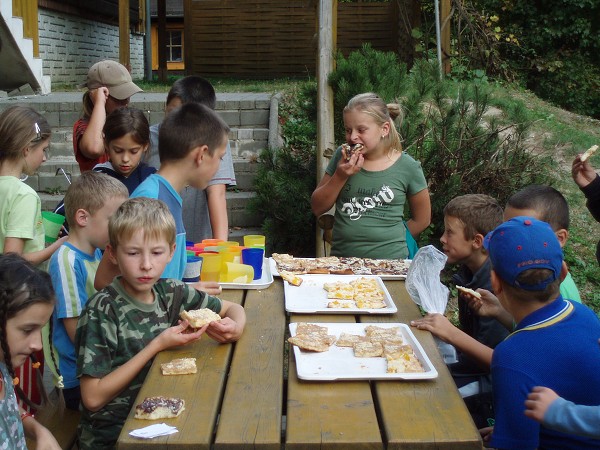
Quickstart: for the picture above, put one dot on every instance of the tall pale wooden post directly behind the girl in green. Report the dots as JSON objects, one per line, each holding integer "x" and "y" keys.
{"x": 327, "y": 17}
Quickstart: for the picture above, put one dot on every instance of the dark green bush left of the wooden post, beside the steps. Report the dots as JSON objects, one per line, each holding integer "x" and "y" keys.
{"x": 286, "y": 177}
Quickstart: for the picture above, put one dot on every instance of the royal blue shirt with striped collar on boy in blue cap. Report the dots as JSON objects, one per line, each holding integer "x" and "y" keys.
{"x": 555, "y": 346}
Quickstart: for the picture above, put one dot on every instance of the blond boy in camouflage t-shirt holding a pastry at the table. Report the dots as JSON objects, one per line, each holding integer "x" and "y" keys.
{"x": 127, "y": 323}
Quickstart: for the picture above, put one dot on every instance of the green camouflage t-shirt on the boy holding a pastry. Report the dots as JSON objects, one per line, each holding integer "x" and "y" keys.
{"x": 112, "y": 329}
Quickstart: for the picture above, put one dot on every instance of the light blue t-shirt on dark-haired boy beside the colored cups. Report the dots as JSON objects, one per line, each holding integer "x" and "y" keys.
{"x": 155, "y": 186}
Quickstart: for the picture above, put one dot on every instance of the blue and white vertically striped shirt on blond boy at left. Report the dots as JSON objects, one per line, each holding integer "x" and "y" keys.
{"x": 72, "y": 272}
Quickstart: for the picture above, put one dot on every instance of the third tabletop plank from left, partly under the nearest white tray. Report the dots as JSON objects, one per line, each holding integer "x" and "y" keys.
{"x": 329, "y": 415}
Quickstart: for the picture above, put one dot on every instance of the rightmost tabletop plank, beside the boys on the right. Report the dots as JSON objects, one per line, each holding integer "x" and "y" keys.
{"x": 436, "y": 399}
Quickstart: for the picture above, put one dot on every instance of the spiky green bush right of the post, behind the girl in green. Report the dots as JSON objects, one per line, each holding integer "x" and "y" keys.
{"x": 462, "y": 148}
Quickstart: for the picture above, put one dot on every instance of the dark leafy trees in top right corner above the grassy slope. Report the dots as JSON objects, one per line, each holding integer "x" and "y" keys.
{"x": 550, "y": 46}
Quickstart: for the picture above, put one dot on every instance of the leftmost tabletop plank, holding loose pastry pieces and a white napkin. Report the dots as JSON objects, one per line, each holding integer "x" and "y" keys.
{"x": 196, "y": 423}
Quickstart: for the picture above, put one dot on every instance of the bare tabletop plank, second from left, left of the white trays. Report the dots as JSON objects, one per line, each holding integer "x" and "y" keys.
{"x": 252, "y": 406}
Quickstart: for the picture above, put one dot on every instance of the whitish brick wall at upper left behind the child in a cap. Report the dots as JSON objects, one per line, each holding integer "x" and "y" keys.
{"x": 69, "y": 45}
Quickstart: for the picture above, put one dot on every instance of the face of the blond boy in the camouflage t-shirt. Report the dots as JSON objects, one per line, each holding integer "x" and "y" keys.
{"x": 142, "y": 262}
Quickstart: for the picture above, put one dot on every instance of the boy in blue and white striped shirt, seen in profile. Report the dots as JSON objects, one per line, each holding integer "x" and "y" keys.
{"x": 89, "y": 203}
